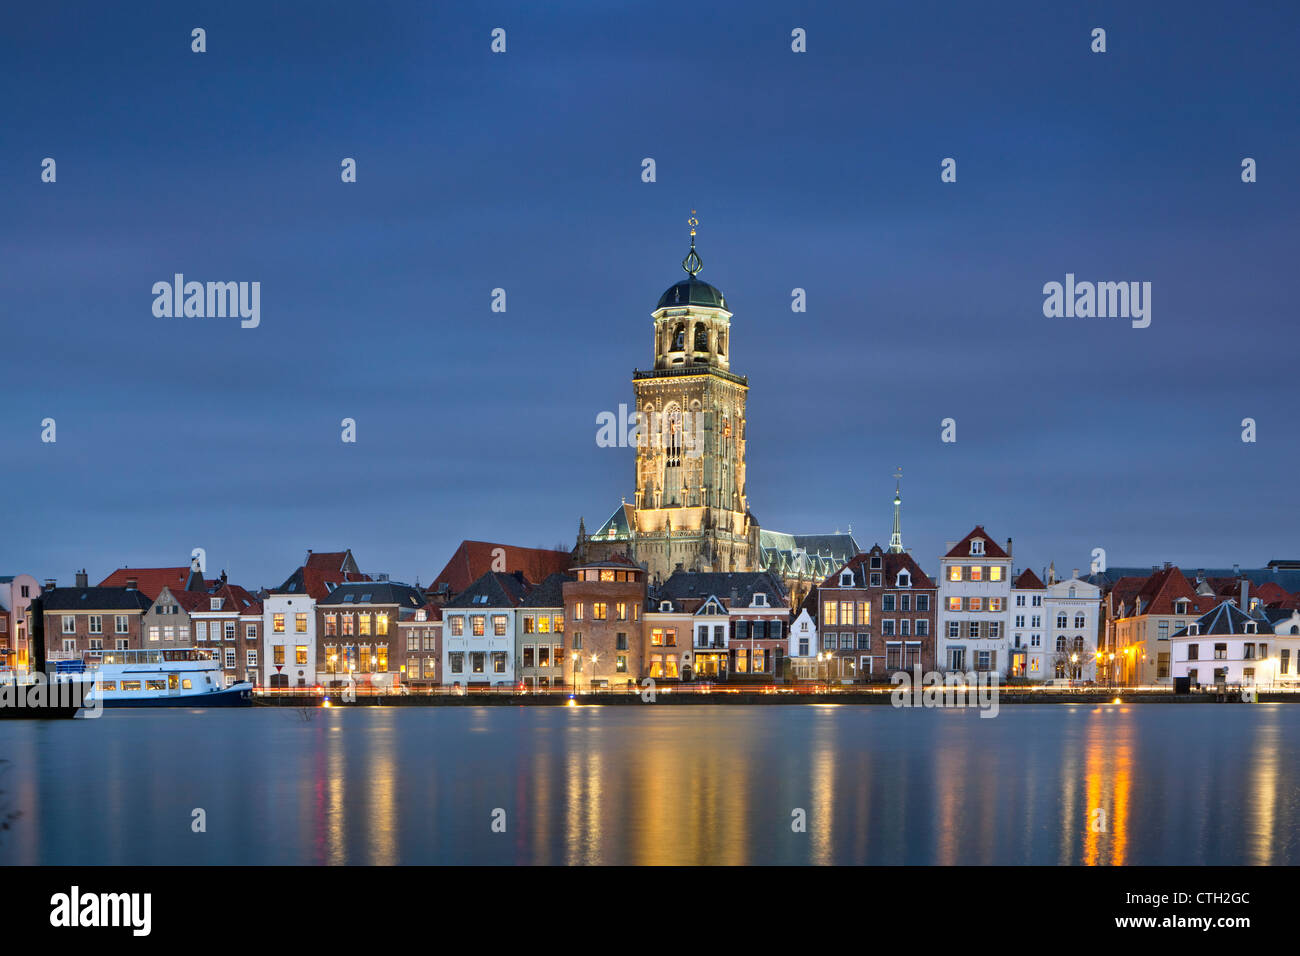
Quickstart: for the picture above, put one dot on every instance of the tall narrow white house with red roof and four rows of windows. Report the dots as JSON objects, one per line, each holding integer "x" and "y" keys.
{"x": 974, "y": 596}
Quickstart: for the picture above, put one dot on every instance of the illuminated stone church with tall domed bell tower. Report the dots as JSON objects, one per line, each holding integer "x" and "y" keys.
{"x": 691, "y": 508}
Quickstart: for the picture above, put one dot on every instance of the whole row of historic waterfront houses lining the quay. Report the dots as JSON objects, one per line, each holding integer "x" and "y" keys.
{"x": 502, "y": 616}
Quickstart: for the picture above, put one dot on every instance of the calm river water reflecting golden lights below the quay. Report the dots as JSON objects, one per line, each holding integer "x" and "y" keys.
{"x": 657, "y": 785}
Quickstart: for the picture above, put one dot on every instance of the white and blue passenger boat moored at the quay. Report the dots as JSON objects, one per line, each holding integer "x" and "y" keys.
{"x": 155, "y": 678}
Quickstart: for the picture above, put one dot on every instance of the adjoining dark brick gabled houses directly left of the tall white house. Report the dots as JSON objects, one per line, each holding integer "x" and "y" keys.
{"x": 874, "y": 616}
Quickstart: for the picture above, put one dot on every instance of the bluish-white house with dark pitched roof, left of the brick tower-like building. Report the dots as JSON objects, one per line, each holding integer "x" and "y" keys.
{"x": 479, "y": 631}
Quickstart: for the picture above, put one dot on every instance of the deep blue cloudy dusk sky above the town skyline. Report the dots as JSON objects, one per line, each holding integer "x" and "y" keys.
{"x": 523, "y": 171}
